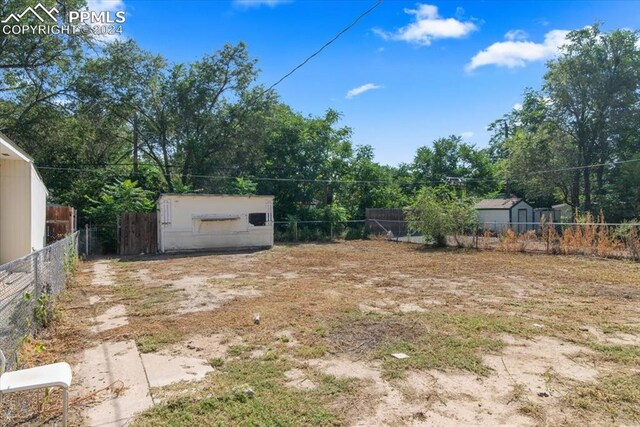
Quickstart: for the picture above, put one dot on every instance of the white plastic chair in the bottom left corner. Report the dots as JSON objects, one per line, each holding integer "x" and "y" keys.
{"x": 54, "y": 375}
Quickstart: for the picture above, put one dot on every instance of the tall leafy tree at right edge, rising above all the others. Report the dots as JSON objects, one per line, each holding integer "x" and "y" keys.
{"x": 593, "y": 88}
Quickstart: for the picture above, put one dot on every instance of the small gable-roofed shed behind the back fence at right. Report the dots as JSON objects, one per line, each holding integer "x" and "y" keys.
{"x": 499, "y": 214}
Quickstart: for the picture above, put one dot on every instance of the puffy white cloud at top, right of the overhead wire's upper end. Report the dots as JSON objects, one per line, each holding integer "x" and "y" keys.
{"x": 428, "y": 25}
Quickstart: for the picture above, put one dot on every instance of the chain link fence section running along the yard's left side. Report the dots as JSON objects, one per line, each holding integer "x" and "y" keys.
{"x": 27, "y": 287}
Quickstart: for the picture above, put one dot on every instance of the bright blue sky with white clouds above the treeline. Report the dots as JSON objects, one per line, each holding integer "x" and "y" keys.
{"x": 432, "y": 69}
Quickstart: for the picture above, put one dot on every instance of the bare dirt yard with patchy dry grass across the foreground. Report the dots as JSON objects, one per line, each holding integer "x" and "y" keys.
{"x": 492, "y": 338}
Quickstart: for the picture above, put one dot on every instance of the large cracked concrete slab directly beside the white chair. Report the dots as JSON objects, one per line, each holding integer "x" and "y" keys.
{"x": 104, "y": 365}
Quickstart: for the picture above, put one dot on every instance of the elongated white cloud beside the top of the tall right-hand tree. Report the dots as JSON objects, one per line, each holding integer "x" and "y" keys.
{"x": 512, "y": 53}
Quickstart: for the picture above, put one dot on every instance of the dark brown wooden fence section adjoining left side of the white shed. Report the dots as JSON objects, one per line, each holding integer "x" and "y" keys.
{"x": 138, "y": 233}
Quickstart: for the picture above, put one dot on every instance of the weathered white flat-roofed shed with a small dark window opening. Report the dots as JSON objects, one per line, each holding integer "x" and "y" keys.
{"x": 192, "y": 222}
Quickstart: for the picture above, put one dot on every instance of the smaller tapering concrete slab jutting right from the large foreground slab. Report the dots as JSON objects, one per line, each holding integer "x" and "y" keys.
{"x": 164, "y": 369}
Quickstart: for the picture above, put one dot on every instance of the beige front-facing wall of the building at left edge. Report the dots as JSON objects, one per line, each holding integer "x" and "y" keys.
{"x": 15, "y": 218}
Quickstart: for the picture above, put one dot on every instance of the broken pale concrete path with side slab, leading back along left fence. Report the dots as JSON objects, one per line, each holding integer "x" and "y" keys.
{"x": 120, "y": 365}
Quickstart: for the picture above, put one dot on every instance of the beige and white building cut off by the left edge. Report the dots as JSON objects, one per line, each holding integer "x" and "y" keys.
{"x": 23, "y": 203}
